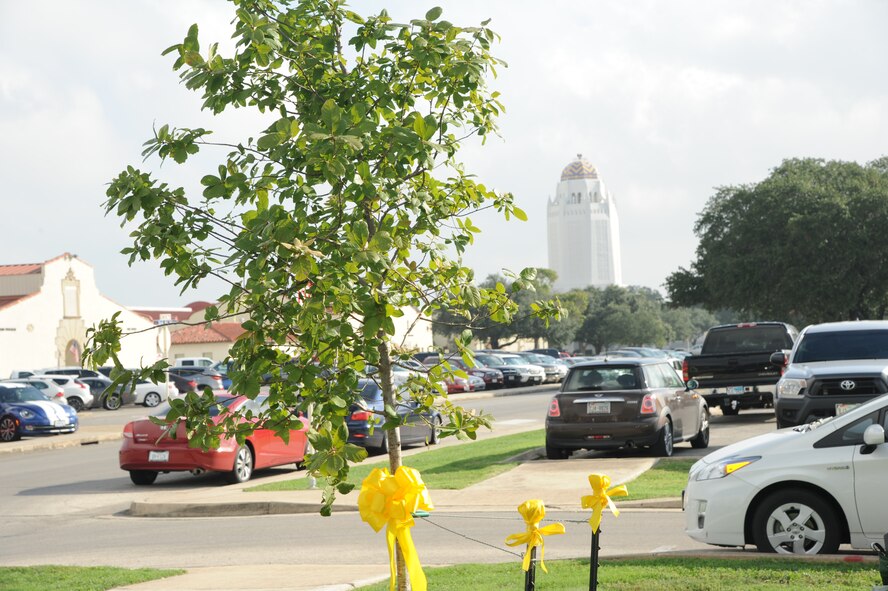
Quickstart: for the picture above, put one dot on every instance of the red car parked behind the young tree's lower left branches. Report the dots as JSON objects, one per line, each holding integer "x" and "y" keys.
{"x": 148, "y": 449}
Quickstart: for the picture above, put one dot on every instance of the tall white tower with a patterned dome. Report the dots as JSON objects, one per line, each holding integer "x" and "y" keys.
{"x": 584, "y": 230}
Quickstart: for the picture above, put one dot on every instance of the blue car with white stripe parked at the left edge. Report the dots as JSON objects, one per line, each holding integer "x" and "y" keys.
{"x": 25, "y": 411}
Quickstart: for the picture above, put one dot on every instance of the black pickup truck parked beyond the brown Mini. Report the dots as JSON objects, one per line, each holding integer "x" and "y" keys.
{"x": 734, "y": 368}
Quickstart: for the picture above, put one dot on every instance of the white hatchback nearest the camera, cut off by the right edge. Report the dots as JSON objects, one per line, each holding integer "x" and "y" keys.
{"x": 802, "y": 490}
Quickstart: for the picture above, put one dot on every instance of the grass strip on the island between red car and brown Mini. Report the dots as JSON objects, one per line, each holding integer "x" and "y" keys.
{"x": 453, "y": 467}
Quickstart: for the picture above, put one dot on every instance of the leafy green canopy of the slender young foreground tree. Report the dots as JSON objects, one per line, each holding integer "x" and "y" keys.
{"x": 348, "y": 206}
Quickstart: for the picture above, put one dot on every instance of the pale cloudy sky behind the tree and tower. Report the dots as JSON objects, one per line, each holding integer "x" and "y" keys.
{"x": 669, "y": 100}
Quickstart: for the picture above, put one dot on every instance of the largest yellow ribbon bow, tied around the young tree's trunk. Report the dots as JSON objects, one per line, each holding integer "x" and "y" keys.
{"x": 391, "y": 501}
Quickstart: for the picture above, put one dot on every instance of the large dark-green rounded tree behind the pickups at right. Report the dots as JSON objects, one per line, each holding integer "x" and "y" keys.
{"x": 804, "y": 245}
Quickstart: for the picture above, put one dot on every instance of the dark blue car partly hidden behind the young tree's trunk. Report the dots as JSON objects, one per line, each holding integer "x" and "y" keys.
{"x": 366, "y": 418}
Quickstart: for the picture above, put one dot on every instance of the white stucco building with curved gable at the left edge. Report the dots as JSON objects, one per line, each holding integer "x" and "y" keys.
{"x": 46, "y": 308}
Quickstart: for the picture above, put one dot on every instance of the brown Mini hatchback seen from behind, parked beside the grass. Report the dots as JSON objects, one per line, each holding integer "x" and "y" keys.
{"x": 625, "y": 403}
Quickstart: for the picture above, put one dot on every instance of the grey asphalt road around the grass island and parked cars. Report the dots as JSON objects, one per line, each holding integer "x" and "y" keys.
{"x": 65, "y": 507}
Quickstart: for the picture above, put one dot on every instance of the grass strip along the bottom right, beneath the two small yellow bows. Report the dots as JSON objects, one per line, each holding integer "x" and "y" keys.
{"x": 661, "y": 574}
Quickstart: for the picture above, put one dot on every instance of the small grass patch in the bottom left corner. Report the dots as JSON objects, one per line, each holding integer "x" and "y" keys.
{"x": 75, "y": 578}
